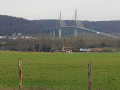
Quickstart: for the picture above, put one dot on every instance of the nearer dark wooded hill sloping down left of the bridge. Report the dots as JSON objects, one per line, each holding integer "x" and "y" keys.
{"x": 10, "y": 25}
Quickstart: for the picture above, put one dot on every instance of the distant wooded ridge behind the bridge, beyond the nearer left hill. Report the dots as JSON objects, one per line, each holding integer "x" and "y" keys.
{"x": 112, "y": 27}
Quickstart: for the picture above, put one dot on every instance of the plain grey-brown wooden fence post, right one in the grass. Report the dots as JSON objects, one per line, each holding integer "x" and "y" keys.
{"x": 90, "y": 76}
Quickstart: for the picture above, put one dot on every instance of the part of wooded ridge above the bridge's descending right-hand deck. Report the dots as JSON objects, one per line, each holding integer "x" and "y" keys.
{"x": 112, "y": 27}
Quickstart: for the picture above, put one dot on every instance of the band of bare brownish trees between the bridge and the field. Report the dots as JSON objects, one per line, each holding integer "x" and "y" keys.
{"x": 47, "y": 44}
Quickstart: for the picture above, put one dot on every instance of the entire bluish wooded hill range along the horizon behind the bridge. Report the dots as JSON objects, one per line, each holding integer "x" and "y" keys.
{"x": 10, "y": 25}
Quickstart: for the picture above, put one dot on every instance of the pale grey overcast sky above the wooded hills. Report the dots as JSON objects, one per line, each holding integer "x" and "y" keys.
{"x": 50, "y": 9}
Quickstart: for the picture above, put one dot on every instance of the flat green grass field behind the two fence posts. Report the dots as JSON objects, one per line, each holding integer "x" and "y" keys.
{"x": 63, "y": 71}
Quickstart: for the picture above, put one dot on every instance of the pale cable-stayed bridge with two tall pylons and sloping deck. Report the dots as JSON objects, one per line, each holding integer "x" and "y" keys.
{"x": 77, "y": 27}
